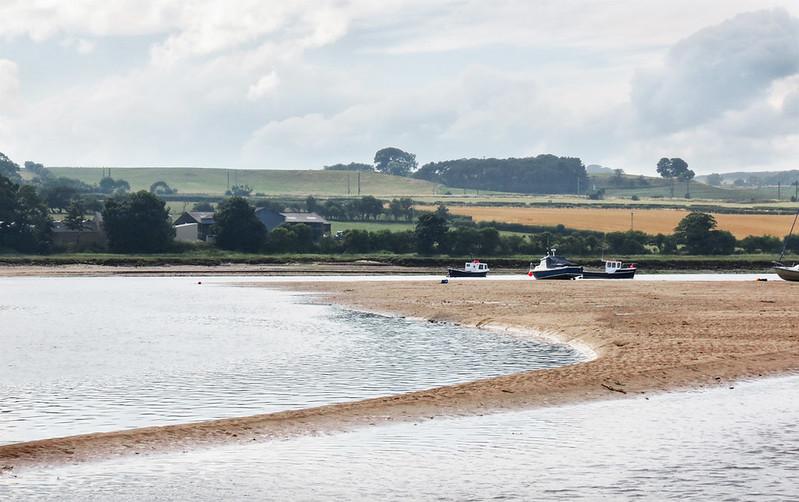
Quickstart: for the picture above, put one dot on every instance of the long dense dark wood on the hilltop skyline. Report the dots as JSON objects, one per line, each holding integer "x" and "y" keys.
{"x": 536, "y": 175}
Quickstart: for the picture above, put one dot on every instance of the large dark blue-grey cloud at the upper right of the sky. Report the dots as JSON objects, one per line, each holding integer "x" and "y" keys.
{"x": 721, "y": 68}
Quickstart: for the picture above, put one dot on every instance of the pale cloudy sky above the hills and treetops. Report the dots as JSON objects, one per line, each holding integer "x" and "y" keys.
{"x": 303, "y": 84}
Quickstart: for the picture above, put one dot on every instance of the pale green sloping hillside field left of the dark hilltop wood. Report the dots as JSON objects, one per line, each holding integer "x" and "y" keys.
{"x": 269, "y": 182}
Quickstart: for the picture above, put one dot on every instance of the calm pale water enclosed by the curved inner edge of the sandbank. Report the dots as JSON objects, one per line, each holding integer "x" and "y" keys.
{"x": 82, "y": 355}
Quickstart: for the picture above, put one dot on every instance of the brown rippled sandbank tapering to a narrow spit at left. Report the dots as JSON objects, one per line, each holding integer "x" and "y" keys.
{"x": 647, "y": 336}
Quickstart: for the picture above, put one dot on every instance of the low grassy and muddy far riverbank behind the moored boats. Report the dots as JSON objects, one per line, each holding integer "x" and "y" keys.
{"x": 235, "y": 263}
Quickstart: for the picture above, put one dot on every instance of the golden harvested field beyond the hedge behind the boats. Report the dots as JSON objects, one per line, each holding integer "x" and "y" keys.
{"x": 652, "y": 221}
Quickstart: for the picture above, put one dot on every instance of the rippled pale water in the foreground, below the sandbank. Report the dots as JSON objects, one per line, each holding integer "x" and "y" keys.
{"x": 740, "y": 444}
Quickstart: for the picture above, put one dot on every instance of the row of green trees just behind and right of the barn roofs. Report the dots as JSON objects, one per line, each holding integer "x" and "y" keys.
{"x": 365, "y": 208}
